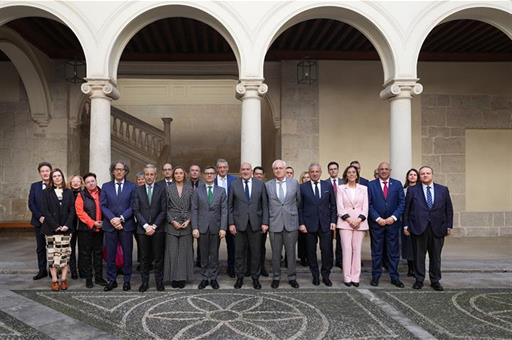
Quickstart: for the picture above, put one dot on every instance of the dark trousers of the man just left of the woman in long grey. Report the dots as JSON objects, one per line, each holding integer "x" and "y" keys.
{"x": 152, "y": 248}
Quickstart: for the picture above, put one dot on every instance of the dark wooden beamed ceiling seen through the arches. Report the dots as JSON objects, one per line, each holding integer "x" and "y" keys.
{"x": 182, "y": 39}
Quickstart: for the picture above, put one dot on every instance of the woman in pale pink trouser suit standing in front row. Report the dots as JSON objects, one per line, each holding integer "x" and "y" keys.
{"x": 352, "y": 202}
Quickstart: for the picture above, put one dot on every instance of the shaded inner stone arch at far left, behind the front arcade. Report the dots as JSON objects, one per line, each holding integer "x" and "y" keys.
{"x": 31, "y": 73}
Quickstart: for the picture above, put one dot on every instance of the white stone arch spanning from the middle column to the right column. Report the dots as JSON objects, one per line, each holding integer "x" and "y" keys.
{"x": 363, "y": 16}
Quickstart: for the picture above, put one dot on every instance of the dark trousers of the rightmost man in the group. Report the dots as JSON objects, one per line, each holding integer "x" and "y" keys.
{"x": 428, "y": 242}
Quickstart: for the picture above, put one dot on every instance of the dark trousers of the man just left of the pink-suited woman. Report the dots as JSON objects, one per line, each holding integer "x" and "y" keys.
{"x": 325, "y": 251}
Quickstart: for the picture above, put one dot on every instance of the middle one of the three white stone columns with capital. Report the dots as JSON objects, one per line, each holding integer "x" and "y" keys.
{"x": 250, "y": 93}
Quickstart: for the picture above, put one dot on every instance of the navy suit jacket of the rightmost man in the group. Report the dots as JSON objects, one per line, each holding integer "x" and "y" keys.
{"x": 418, "y": 216}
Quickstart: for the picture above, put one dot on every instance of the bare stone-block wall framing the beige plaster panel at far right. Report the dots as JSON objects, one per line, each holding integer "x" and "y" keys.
{"x": 444, "y": 121}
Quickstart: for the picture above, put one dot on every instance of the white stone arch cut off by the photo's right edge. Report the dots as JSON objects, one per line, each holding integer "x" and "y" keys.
{"x": 495, "y": 14}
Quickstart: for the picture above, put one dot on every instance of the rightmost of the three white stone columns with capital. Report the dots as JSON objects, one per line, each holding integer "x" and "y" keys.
{"x": 399, "y": 93}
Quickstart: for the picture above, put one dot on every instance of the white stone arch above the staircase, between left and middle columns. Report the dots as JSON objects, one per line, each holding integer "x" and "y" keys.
{"x": 146, "y": 16}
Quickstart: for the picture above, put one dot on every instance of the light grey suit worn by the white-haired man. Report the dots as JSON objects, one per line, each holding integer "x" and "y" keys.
{"x": 284, "y": 225}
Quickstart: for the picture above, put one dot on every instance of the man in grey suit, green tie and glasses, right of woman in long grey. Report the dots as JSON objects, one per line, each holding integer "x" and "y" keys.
{"x": 209, "y": 224}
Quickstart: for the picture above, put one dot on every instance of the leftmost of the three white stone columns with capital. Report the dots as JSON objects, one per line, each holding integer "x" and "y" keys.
{"x": 101, "y": 92}
